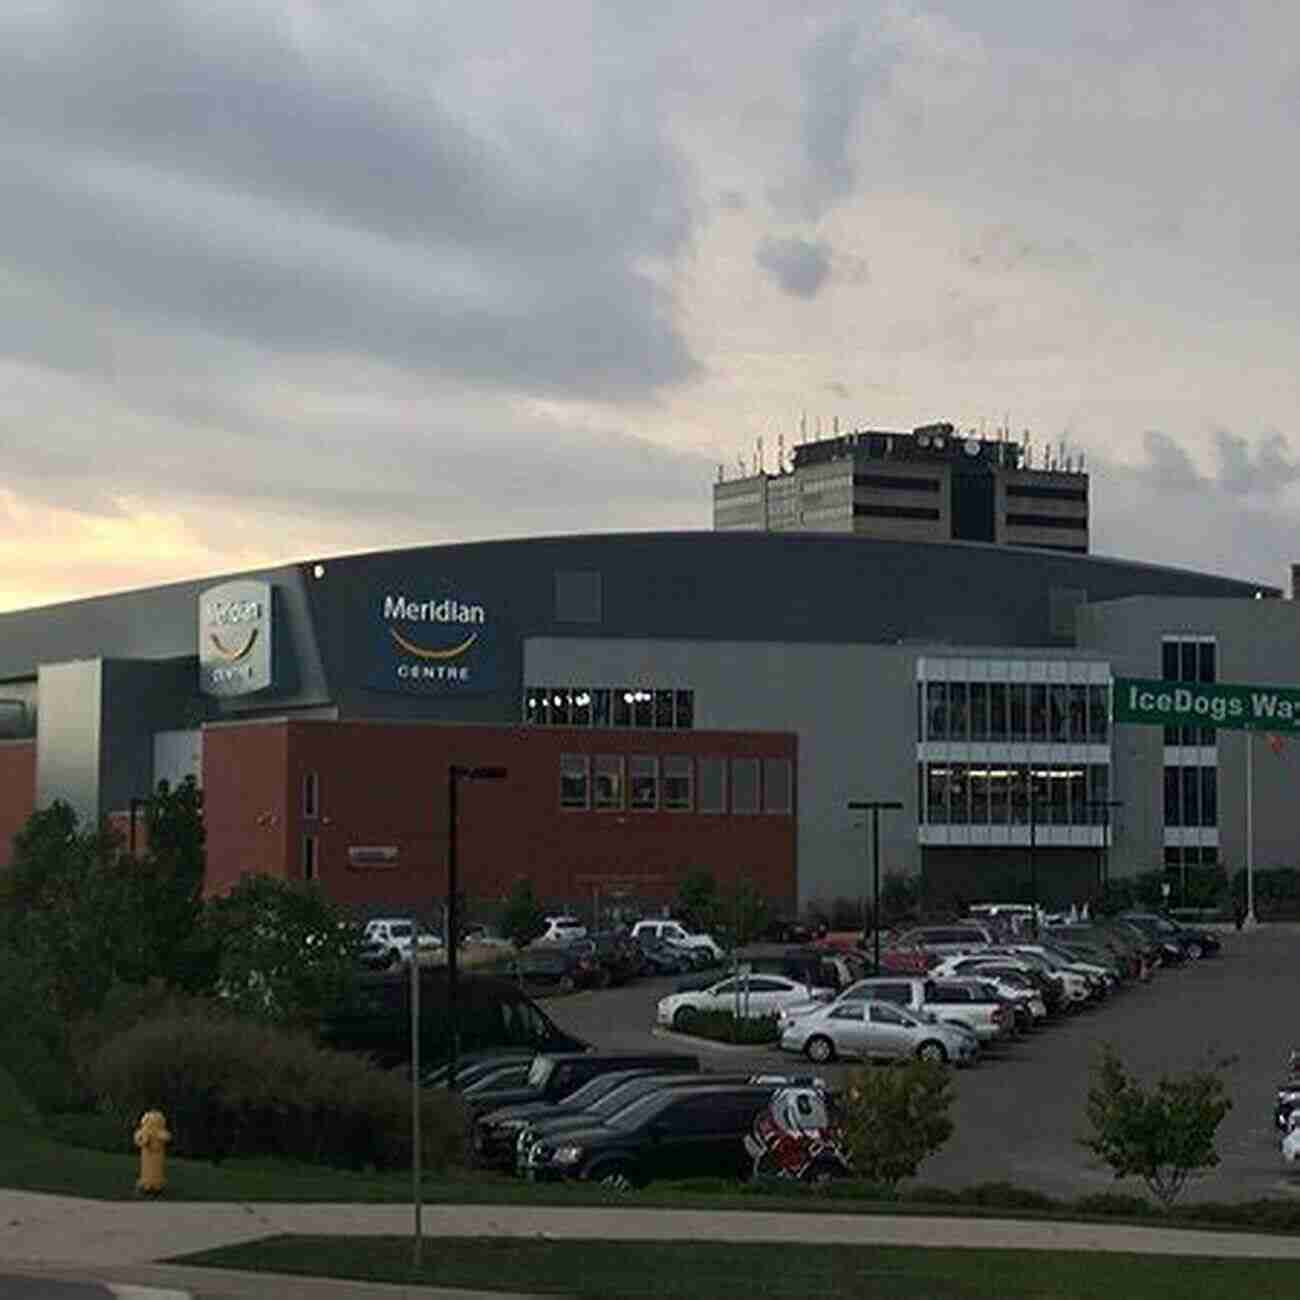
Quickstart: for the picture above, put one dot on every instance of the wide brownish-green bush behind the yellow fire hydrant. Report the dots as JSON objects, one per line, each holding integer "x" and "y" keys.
{"x": 231, "y": 1087}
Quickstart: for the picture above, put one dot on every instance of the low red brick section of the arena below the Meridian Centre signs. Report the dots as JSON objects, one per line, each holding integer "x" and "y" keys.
{"x": 384, "y": 786}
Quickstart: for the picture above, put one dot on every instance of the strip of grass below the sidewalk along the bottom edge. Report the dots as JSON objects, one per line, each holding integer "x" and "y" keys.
{"x": 668, "y": 1271}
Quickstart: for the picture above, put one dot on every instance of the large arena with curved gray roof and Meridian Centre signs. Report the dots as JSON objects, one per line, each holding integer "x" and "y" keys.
{"x": 662, "y": 703}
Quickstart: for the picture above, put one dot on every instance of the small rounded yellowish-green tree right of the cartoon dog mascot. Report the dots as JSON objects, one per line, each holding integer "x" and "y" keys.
{"x": 894, "y": 1119}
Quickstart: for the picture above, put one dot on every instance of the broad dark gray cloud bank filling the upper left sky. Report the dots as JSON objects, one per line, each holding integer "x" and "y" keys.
{"x": 210, "y": 175}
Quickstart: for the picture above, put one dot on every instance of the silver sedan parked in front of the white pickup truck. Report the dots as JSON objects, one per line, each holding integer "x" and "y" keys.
{"x": 877, "y": 1032}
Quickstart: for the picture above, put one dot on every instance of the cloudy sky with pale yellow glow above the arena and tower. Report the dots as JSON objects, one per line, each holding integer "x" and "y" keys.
{"x": 294, "y": 279}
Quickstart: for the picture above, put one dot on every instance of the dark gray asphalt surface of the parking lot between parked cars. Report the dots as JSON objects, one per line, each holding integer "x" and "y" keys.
{"x": 1021, "y": 1111}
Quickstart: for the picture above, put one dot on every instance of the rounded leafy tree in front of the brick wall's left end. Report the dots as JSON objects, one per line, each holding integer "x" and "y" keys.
{"x": 285, "y": 952}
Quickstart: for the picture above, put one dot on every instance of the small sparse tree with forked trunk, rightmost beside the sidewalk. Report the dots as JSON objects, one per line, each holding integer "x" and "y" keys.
{"x": 1163, "y": 1136}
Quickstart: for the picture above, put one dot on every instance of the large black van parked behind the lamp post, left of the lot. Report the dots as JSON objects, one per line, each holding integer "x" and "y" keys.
{"x": 375, "y": 1019}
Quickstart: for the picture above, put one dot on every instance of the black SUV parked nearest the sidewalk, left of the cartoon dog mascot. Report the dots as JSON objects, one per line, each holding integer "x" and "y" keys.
{"x": 679, "y": 1133}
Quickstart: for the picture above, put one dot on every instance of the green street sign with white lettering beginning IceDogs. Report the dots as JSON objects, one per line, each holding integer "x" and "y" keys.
{"x": 1220, "y": 704}
